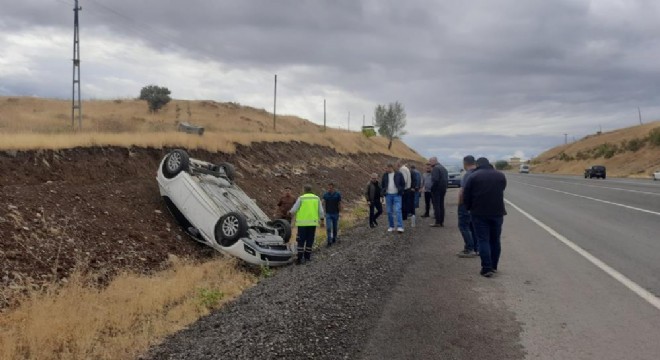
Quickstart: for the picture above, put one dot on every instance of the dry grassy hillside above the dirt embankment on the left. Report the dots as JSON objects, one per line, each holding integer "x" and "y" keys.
{"x": 35, "y": 123}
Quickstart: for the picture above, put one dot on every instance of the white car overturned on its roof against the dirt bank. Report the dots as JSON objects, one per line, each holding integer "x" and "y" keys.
{"x": 212, "y": 209}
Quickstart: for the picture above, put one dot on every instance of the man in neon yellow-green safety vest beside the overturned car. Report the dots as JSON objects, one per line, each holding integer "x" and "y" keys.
{"x": 309, "y": 213}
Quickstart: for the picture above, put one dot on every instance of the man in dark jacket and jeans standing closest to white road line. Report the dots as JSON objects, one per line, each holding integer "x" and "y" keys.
{"x": 483, "y": 196}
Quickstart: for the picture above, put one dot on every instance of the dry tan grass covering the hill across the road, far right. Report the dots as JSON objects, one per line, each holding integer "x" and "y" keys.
{"x": 627, "y": 164}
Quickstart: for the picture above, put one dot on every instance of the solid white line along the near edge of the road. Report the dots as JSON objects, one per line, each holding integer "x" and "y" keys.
{"x": 625, "y": 281}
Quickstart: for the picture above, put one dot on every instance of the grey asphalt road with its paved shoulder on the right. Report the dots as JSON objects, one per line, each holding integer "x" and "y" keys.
{"x": 579, "y": 279}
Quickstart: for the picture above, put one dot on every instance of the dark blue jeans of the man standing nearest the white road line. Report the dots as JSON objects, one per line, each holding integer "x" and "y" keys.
{"x": 488, "y": 230}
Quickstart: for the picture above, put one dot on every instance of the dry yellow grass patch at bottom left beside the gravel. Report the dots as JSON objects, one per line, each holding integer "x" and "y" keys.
{"x": 122, "y": 320}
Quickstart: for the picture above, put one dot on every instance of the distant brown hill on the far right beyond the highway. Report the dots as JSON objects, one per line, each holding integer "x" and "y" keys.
{"x": 628, "y": 152}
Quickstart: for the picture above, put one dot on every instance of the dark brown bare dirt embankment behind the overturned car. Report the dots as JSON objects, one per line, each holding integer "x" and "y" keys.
{"x": 99, "y": 208}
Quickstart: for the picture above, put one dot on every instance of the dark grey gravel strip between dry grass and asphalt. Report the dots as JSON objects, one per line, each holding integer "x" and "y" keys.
{"x": 323, "y": 310}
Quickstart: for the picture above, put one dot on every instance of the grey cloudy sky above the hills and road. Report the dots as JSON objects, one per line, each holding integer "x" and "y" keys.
{"x": 488, "y": 77}
